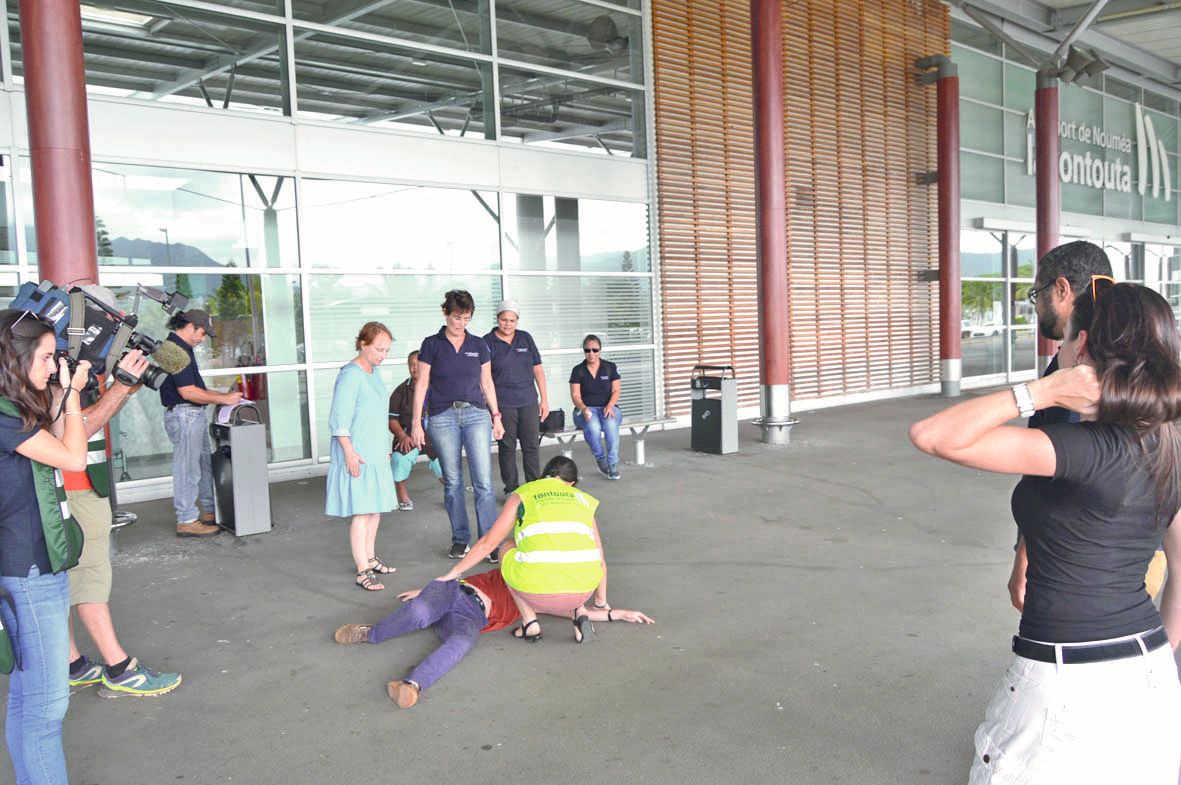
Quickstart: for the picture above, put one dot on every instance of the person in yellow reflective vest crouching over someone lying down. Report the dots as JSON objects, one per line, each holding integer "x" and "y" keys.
{"x": 556, "y": 562}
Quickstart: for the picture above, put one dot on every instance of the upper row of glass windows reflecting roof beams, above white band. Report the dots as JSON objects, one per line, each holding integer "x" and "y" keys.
{"x": 554, "y": 73}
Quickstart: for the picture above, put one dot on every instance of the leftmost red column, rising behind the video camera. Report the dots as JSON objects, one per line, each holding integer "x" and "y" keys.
{"x": 60, "y": 141}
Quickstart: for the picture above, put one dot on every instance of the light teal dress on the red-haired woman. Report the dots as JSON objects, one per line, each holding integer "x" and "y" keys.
{"x": 360, "y": 411}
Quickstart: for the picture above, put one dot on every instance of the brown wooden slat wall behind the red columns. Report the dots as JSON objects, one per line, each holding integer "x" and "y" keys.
{"x": 858, "y": 130}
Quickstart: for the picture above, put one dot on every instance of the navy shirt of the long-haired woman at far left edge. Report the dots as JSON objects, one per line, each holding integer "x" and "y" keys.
{"x": 22, "y": 538}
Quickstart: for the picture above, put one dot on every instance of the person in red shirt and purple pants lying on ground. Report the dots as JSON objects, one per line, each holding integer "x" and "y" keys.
{"x": 459, "y": 612}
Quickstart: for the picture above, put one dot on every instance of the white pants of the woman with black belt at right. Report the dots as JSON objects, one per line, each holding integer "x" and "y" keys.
{"x": 1098, "y": 723}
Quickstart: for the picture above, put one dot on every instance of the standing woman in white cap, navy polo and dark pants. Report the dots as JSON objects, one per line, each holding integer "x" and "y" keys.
{"x": 519, "y": 380}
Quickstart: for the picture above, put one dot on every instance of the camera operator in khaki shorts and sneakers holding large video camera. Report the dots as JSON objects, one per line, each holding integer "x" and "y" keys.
{"x": 90, "y": 581}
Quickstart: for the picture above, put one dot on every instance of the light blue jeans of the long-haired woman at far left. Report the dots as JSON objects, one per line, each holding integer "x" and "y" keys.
{"x": 38, "y": 691}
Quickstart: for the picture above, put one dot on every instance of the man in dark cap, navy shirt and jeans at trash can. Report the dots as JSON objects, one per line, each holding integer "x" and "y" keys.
{"x": 185, "y": 397}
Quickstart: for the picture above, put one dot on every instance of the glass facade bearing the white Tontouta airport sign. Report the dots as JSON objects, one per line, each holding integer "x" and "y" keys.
{"x": 1105, "y": 126}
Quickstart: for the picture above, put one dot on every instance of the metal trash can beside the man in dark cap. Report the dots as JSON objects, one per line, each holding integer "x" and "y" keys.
{"x": 240, "y": 469}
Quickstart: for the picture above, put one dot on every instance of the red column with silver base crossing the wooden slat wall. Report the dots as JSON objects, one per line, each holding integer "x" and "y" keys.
{"x": 772, "y": 217}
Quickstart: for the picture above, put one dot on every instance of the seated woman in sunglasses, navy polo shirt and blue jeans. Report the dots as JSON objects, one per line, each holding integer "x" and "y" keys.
{"x": 595, "y": 390}
